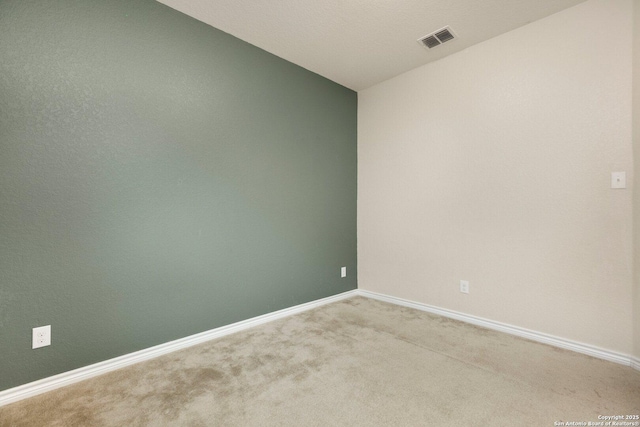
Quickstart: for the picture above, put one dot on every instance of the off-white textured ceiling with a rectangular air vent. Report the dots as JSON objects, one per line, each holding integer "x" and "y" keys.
{"x": 359, "y": 43}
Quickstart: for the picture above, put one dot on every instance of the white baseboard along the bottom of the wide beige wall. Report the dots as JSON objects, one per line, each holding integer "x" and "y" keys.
{"x": 578, "y": 347}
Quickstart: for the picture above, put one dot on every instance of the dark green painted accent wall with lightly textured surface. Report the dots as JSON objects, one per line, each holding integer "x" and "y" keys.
{"x": 159, "y": 178}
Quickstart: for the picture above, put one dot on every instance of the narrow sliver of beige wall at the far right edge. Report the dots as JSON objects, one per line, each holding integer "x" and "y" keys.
{"x": 636, "y": 167}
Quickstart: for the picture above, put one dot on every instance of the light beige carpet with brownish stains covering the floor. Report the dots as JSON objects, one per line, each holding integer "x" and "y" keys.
{"x": 357, "y": 362}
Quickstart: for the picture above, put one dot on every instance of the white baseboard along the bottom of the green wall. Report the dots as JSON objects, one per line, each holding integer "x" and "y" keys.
{"x": 66, "y": 378}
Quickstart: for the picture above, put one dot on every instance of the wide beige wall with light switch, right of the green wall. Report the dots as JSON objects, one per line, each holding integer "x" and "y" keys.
{"x": 493, "y": 166}
